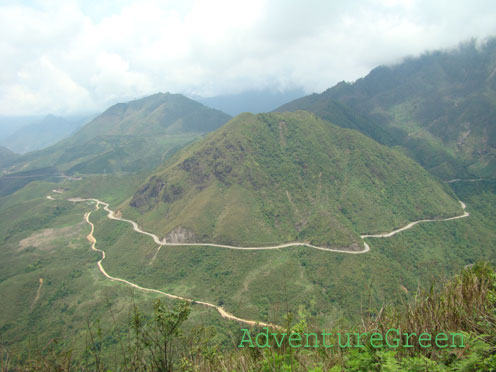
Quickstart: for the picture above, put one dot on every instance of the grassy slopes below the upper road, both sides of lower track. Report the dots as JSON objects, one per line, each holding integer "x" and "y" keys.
{"x": 330, "y": 287}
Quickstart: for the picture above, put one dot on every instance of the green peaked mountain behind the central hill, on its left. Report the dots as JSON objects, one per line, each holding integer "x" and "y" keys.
{"x": 129, "y": 136}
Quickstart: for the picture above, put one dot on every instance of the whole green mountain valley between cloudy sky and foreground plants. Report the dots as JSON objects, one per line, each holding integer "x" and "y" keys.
{"x": 316, "y": 215}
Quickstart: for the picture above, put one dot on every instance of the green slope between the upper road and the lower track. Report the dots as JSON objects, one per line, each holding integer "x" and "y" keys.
{"x": 263, "y": 284}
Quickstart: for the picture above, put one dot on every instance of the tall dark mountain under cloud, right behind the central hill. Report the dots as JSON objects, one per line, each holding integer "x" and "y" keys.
{"x": 440, "y": 108}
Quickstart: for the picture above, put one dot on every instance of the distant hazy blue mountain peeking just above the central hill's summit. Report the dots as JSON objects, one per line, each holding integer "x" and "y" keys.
{"x": 254, "y": 101}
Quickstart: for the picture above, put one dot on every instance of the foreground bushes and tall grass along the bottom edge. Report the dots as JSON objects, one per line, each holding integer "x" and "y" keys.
{"x": 465, "y": 305}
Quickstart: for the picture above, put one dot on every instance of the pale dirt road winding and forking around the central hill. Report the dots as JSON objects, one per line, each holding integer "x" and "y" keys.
{"x": 219, "y": 309}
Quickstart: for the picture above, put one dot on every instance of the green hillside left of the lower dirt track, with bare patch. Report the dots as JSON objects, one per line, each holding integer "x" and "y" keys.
{"x": 45, "y": 239}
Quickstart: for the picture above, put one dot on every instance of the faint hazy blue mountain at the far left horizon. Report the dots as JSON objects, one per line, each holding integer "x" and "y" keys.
{"x": 42, "y": 133}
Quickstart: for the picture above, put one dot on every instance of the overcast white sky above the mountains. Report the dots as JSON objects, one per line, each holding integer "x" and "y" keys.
{"x": 72, "y": 56}
